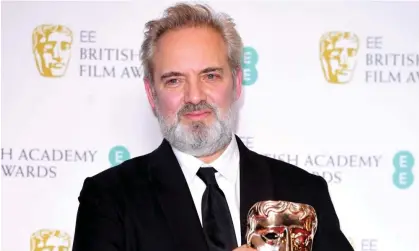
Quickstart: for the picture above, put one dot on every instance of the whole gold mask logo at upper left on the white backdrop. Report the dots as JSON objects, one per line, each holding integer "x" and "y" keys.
{"x": 51, "y": 46}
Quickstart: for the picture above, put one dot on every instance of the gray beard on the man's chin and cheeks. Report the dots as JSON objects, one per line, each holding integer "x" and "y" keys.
{"x": 198, "y": 139}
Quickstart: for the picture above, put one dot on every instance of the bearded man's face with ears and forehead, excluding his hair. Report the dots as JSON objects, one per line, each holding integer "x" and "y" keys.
{"x": 193, "y": 90}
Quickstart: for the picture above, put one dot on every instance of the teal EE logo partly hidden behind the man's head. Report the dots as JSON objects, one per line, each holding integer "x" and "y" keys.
{"x": 249, "y": 60}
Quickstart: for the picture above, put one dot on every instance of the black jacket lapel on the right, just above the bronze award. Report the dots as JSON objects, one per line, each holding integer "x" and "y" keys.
{"x": 255, "y": 183}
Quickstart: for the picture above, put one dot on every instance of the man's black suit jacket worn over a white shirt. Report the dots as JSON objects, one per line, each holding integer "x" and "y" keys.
{"x": 144, "y": 204}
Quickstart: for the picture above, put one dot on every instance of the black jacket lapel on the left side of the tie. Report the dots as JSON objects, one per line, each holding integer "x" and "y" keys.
{"x": 176, "y": 200}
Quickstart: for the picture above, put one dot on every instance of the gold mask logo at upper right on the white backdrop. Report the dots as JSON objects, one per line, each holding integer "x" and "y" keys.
{"x": 338, "y": 52}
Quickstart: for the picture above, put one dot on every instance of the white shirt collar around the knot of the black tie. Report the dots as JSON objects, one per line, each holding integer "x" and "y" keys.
{"x": 227, "y": 164}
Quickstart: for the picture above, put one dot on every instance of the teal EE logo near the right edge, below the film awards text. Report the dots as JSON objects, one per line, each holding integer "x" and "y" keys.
{"x": 403, "y": 162}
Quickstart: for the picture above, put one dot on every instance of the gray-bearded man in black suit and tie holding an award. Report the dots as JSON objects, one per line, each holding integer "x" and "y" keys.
{"x": 194, "y": 191}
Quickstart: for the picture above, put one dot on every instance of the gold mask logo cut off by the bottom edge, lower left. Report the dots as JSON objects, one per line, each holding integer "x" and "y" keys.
{"x": 50, "y": 240}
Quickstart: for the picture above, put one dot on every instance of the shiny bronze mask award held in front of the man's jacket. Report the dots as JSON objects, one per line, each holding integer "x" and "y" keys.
{"x": 281, "y": 226}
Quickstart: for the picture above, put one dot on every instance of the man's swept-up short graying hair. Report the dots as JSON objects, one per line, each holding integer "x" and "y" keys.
{"x": 188, "y": 15}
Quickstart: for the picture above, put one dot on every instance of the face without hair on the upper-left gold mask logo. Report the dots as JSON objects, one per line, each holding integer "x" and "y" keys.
{"x": 54, "y": 54}
